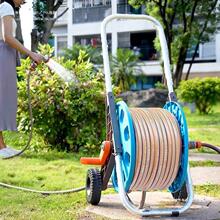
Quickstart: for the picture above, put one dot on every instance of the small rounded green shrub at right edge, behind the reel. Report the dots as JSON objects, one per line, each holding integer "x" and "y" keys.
{"x": 204, "y": 92}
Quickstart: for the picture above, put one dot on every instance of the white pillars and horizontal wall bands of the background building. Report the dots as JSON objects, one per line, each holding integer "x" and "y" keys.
{"x": 150, "y": 68}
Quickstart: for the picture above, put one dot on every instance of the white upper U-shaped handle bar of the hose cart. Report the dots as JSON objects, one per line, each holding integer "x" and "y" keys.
{"x": 164, "y": 49}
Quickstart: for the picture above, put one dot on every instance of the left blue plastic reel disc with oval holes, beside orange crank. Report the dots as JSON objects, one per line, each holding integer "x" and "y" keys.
{"x": 128, "y": 146}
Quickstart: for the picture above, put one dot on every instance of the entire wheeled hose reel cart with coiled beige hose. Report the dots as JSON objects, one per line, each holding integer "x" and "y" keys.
{"x": 145, "y": 148}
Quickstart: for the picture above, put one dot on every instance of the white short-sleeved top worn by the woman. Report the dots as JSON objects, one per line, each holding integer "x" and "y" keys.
{"x": 7, "y": 10}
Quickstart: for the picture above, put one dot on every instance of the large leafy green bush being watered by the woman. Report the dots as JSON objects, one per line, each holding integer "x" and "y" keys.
{"x": 68, "y": 116}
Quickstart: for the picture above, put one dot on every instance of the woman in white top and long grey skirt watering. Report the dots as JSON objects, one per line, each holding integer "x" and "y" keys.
{"x": 8, "y": 79}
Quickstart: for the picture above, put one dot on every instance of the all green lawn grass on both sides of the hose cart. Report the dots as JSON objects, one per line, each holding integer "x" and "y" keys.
{"x": 49, "y": 170}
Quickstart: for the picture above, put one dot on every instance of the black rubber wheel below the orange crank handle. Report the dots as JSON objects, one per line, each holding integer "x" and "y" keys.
{"x": 93, "y": 186}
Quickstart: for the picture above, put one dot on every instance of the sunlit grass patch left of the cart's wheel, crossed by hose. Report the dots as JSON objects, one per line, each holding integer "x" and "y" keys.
{"x": 42, "y": 171}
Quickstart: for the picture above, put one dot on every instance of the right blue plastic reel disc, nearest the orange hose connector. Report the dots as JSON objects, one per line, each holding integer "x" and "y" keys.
{"x": 177, "y": 111}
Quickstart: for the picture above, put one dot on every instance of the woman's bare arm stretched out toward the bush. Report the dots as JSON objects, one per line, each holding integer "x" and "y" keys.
{"x": 8, "y": 38}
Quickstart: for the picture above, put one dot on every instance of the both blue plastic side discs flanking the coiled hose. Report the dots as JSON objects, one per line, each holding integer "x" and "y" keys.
{"x": 127, "y": 134}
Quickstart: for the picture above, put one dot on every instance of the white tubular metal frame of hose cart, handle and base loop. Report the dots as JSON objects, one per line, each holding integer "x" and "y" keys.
{"x": 165, "y": 56}
